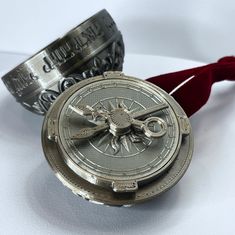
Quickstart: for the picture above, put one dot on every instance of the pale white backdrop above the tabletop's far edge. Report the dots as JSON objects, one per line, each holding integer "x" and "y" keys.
{"x": 200, "y": 30}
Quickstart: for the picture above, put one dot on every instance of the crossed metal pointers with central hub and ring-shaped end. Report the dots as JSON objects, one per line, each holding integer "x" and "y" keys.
{"x": 120, "y": 120}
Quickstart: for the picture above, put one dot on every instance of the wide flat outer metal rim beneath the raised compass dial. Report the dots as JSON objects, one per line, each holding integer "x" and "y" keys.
{"x": 99, "y": 194}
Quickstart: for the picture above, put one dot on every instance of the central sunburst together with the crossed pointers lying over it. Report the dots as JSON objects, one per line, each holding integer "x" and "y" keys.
{"x": 121, "y": 126}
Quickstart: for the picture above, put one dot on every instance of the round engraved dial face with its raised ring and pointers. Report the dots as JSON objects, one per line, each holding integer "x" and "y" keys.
{"x": 118, "y": 130}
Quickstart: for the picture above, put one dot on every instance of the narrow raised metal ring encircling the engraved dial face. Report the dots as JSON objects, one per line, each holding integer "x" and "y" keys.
{"x": 85, "y": 172}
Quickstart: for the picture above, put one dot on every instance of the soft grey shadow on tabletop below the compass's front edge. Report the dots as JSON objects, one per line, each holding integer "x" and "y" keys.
{"x": 59, "y": 207}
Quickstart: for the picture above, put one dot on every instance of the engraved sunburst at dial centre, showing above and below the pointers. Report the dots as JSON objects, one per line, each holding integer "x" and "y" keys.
{"x": 127, "y": 144}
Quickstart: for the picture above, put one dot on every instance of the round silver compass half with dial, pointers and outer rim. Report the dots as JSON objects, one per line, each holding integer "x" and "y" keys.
{"x": 117, "y": 140}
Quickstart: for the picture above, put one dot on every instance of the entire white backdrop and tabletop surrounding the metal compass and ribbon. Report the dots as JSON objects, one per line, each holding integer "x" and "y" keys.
{"x": 33, "y": 201}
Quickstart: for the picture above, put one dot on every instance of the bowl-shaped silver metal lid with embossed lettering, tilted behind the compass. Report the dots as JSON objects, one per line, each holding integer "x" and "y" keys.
{"x": 94, "y": 46}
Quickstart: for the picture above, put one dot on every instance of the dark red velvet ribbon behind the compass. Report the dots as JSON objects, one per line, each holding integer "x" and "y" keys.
{"x": 191, "y": 88}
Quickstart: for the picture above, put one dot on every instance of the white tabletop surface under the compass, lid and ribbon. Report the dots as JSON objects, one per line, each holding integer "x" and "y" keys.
{"x": 33, "y": 201}
